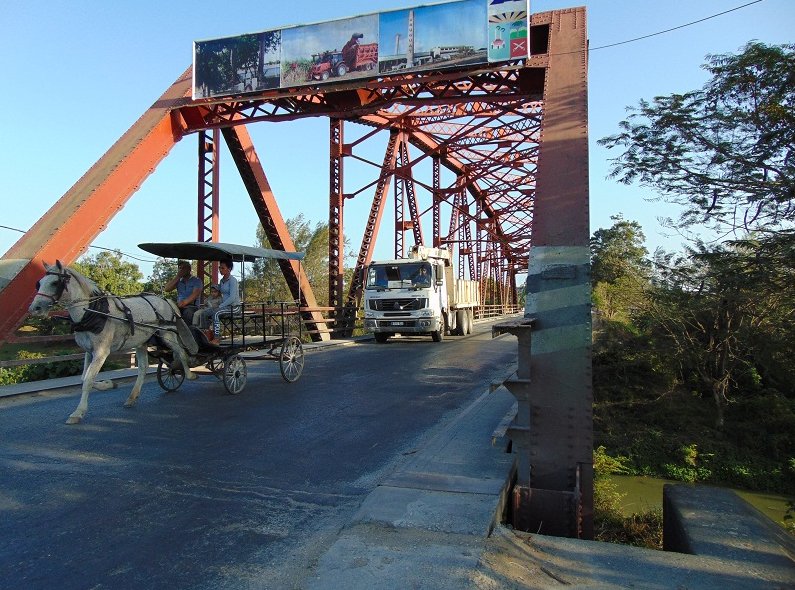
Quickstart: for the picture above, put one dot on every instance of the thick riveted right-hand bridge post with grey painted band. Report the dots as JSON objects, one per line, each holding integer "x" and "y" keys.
{"x": 554, "y": 493}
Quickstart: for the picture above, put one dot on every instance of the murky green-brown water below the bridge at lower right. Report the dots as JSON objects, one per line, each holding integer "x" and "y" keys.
{"x": 643, "y": 493}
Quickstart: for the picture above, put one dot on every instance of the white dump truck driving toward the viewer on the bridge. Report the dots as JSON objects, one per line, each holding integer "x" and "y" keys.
{"x": 418, "y": 295}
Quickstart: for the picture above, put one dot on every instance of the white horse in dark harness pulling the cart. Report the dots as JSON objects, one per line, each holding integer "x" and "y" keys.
{"x": 104, "y": 323}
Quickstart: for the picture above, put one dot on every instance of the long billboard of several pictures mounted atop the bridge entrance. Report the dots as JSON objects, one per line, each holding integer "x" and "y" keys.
{"x": 451, "y": 34}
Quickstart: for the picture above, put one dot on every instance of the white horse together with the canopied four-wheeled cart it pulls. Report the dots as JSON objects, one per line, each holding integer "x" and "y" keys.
{"x": 104, "y": 323}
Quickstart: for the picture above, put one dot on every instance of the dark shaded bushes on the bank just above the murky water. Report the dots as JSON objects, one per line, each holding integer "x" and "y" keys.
{"x": 674, "y": 437}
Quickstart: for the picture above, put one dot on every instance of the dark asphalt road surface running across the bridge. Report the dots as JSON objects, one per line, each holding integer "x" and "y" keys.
{"x": 200, "y": 489}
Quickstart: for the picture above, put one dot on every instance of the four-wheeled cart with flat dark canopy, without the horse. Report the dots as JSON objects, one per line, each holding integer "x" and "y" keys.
{"x": 253, "y": 331}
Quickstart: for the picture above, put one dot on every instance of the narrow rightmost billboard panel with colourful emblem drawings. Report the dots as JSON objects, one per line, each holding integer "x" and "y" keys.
{"x": 508, "y": 30}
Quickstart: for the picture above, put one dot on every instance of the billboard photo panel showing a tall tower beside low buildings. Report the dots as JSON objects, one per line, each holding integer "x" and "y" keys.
{"x": 432, "y": 37}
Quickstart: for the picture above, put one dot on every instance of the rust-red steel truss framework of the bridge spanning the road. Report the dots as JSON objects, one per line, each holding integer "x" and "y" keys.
{"x": 515, "y": 138}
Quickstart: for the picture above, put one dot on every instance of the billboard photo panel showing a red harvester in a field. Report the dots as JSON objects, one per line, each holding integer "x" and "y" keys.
{"x": 330, "y": 52}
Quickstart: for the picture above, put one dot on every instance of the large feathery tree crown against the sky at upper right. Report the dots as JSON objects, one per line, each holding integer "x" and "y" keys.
{"x": 724, "y": 153}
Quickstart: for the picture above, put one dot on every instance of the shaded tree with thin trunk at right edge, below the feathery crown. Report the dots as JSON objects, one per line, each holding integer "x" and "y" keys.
{"x": 721, "y": 307}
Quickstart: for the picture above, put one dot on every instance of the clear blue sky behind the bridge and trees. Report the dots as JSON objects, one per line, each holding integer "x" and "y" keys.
{"x": 78, "y": 73}
